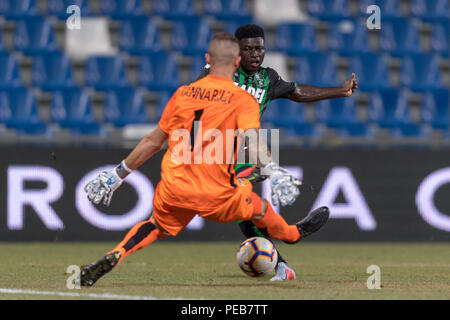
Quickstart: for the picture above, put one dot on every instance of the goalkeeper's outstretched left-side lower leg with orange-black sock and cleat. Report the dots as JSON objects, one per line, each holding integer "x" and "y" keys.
{"x": 140, "y": 236}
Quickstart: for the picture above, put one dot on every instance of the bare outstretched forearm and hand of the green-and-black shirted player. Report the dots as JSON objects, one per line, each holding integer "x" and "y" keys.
{"x": 310, "y": 93}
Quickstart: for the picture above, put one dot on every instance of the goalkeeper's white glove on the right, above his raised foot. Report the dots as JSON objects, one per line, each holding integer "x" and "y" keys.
{"x": 284, "y": 186}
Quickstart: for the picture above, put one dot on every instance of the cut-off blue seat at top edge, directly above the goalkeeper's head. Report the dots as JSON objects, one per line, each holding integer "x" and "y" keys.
{"x": 227, "y": 9}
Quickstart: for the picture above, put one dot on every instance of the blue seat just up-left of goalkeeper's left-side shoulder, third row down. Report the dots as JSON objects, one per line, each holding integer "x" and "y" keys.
{"x": 159, "y": 71}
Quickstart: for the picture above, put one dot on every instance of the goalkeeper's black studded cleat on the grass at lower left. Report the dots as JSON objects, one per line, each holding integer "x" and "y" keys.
{"x": 94, "y": 271}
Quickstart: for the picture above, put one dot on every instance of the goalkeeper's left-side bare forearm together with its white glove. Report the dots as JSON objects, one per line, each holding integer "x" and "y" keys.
{"x": 101, "y": 189}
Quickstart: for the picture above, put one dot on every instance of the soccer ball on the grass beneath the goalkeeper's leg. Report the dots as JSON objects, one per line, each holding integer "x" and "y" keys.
{"x": 257, "y": 256}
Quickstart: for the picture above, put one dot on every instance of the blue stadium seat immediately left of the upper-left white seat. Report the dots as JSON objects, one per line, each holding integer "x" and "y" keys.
{"x": 34, "y": 35}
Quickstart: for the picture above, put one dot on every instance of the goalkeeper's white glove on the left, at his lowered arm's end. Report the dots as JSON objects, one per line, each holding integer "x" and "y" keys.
{"x": 102, "y": 188}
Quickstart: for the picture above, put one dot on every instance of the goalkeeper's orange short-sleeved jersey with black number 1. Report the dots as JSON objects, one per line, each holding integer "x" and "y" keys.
{"x": 201, "y": 120}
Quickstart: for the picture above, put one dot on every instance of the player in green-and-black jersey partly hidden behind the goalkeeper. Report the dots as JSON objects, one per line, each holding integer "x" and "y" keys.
{"x": 266, "y": 85}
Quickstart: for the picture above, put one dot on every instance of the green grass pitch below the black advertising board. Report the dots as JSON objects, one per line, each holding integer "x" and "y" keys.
{"x": 195, "y": 270}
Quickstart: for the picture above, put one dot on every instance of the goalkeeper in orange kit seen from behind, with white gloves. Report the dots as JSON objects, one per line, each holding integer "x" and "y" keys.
{"x": 189, "y": 186}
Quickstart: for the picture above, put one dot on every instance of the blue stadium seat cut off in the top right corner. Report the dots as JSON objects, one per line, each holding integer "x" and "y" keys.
{"x": 430, "y": 10}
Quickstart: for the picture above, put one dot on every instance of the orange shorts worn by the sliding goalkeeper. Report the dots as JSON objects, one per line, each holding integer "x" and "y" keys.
{"x": 240, "y": 206}
